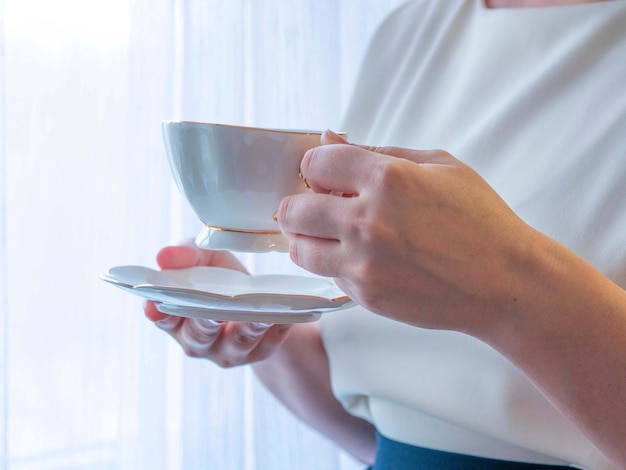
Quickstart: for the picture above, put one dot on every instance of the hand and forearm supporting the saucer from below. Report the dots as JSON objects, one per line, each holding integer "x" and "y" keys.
{"x": 298, "y": 372}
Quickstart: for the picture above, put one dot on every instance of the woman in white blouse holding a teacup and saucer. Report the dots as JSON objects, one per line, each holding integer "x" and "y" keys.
{"x": 492, "y": 323}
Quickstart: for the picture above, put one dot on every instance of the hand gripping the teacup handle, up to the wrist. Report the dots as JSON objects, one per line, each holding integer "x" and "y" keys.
{"x": 418, "y": 236}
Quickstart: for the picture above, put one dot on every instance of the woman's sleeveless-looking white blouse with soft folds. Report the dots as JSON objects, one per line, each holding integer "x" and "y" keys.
{"x": 535, "y": 100}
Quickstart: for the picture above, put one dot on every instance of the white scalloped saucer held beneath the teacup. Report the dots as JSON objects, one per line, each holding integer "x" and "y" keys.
{"x": 229, "y": 290}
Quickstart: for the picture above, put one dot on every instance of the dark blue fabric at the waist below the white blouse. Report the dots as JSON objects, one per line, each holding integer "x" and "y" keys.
{"x": 393, "y": 455}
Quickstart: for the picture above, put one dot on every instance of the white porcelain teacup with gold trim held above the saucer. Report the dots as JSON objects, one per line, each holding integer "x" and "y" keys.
{"x": 234, "y": 178}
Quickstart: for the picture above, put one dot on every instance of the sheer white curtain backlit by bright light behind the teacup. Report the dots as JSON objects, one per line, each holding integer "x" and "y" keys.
{"x": 86, "y": 382}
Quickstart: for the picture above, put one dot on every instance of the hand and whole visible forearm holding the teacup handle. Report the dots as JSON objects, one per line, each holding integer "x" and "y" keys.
{"x": 425, "y": 240}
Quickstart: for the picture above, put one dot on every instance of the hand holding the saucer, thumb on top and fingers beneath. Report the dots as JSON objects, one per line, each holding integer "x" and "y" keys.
{"x": 227, "y": 344}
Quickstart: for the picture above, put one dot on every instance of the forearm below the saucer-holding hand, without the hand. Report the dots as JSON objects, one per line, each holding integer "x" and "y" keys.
{"x": 298, "y": 375}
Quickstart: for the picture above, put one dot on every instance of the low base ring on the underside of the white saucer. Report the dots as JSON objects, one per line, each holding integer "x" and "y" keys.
{"x": 234, "y": 315}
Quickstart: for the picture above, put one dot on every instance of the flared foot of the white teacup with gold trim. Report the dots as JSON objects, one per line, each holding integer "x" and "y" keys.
{"x": 213, "y": 239}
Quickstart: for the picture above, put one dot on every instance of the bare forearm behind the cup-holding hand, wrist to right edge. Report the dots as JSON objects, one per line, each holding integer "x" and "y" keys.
{"x": 568, "y": 334}
